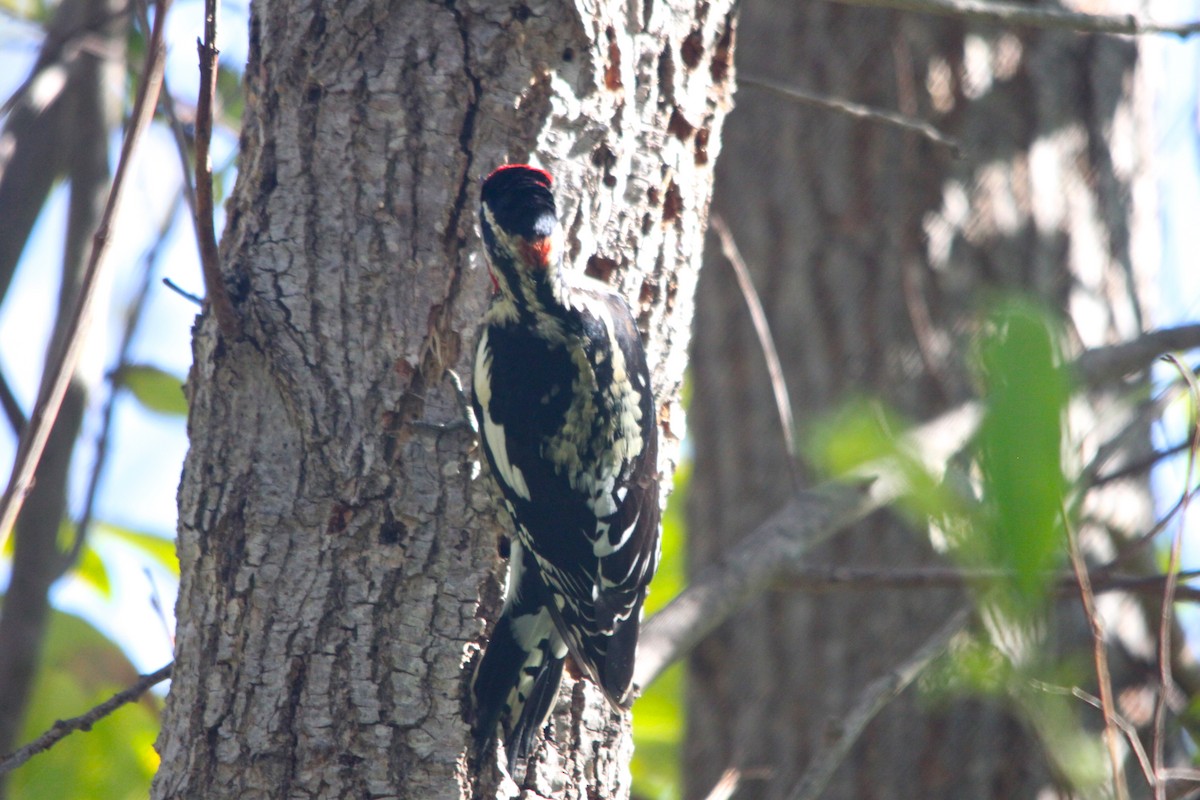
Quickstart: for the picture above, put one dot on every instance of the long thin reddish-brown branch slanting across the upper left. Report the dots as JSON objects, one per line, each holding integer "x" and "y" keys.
{"x": 29, "y": 450}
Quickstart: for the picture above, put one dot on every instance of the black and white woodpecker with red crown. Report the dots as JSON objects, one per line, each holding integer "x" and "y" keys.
{"x": 562, "y": 395}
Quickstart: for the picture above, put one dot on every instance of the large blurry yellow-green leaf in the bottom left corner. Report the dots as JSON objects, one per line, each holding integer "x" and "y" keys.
{"x": 116, "y": 760}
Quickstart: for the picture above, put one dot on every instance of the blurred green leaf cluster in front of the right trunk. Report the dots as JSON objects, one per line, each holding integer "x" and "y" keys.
{"x": 999, "y": 509}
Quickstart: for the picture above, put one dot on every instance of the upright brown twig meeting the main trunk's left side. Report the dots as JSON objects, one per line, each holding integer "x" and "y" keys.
{"x": 206, "y": 233}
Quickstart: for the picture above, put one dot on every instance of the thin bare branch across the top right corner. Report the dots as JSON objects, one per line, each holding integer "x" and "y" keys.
{"x": 1016, "y": 14}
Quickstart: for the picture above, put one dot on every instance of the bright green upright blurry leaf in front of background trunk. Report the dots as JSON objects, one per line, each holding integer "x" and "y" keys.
{"x": 1021, "y": 447}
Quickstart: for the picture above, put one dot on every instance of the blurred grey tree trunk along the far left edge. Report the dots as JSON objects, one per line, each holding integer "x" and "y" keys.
{"x": 47, "y": 139}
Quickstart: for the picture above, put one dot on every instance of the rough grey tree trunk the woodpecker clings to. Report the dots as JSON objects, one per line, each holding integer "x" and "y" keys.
{"x": 339, "y": 562}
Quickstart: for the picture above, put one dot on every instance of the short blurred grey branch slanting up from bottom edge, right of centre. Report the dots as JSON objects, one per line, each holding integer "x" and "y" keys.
{"x": 877, "y": 696}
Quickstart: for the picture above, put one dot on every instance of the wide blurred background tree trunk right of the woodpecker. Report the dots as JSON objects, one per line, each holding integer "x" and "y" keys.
{"x": 875, "y": 251}
